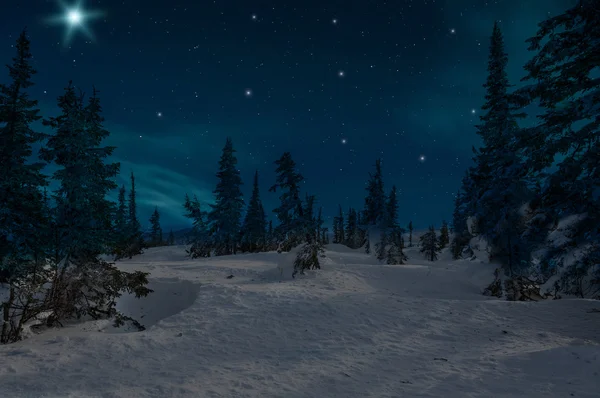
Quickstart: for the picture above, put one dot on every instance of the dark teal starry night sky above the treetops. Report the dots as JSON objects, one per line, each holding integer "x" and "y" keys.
{"x": 337, "y": 83}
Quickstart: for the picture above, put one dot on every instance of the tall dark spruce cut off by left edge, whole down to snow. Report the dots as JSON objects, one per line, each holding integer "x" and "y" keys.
{"x": 24, "y": 219}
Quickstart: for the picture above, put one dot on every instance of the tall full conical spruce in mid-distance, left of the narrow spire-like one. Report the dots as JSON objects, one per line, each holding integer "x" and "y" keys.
{"x": 226, "y": 213}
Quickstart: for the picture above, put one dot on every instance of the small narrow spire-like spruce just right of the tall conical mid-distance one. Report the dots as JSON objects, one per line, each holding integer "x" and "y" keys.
{"x": 254, "y": 228}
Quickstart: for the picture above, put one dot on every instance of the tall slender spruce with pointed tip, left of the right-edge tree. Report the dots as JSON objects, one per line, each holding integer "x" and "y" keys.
{"x": 498, "y": 176}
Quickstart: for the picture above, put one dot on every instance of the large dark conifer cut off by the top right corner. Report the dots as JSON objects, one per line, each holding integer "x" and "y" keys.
{"x": 563, "y": 148}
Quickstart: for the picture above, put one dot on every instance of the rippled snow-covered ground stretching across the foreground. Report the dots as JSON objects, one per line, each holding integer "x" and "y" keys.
{"x": 353, "y": 329}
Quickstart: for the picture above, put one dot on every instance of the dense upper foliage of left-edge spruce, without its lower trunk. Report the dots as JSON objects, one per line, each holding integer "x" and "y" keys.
{"x": 21, "y": 200}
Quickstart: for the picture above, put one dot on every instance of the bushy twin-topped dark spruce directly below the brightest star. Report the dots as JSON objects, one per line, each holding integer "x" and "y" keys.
{"x": 84, "y": 215}
